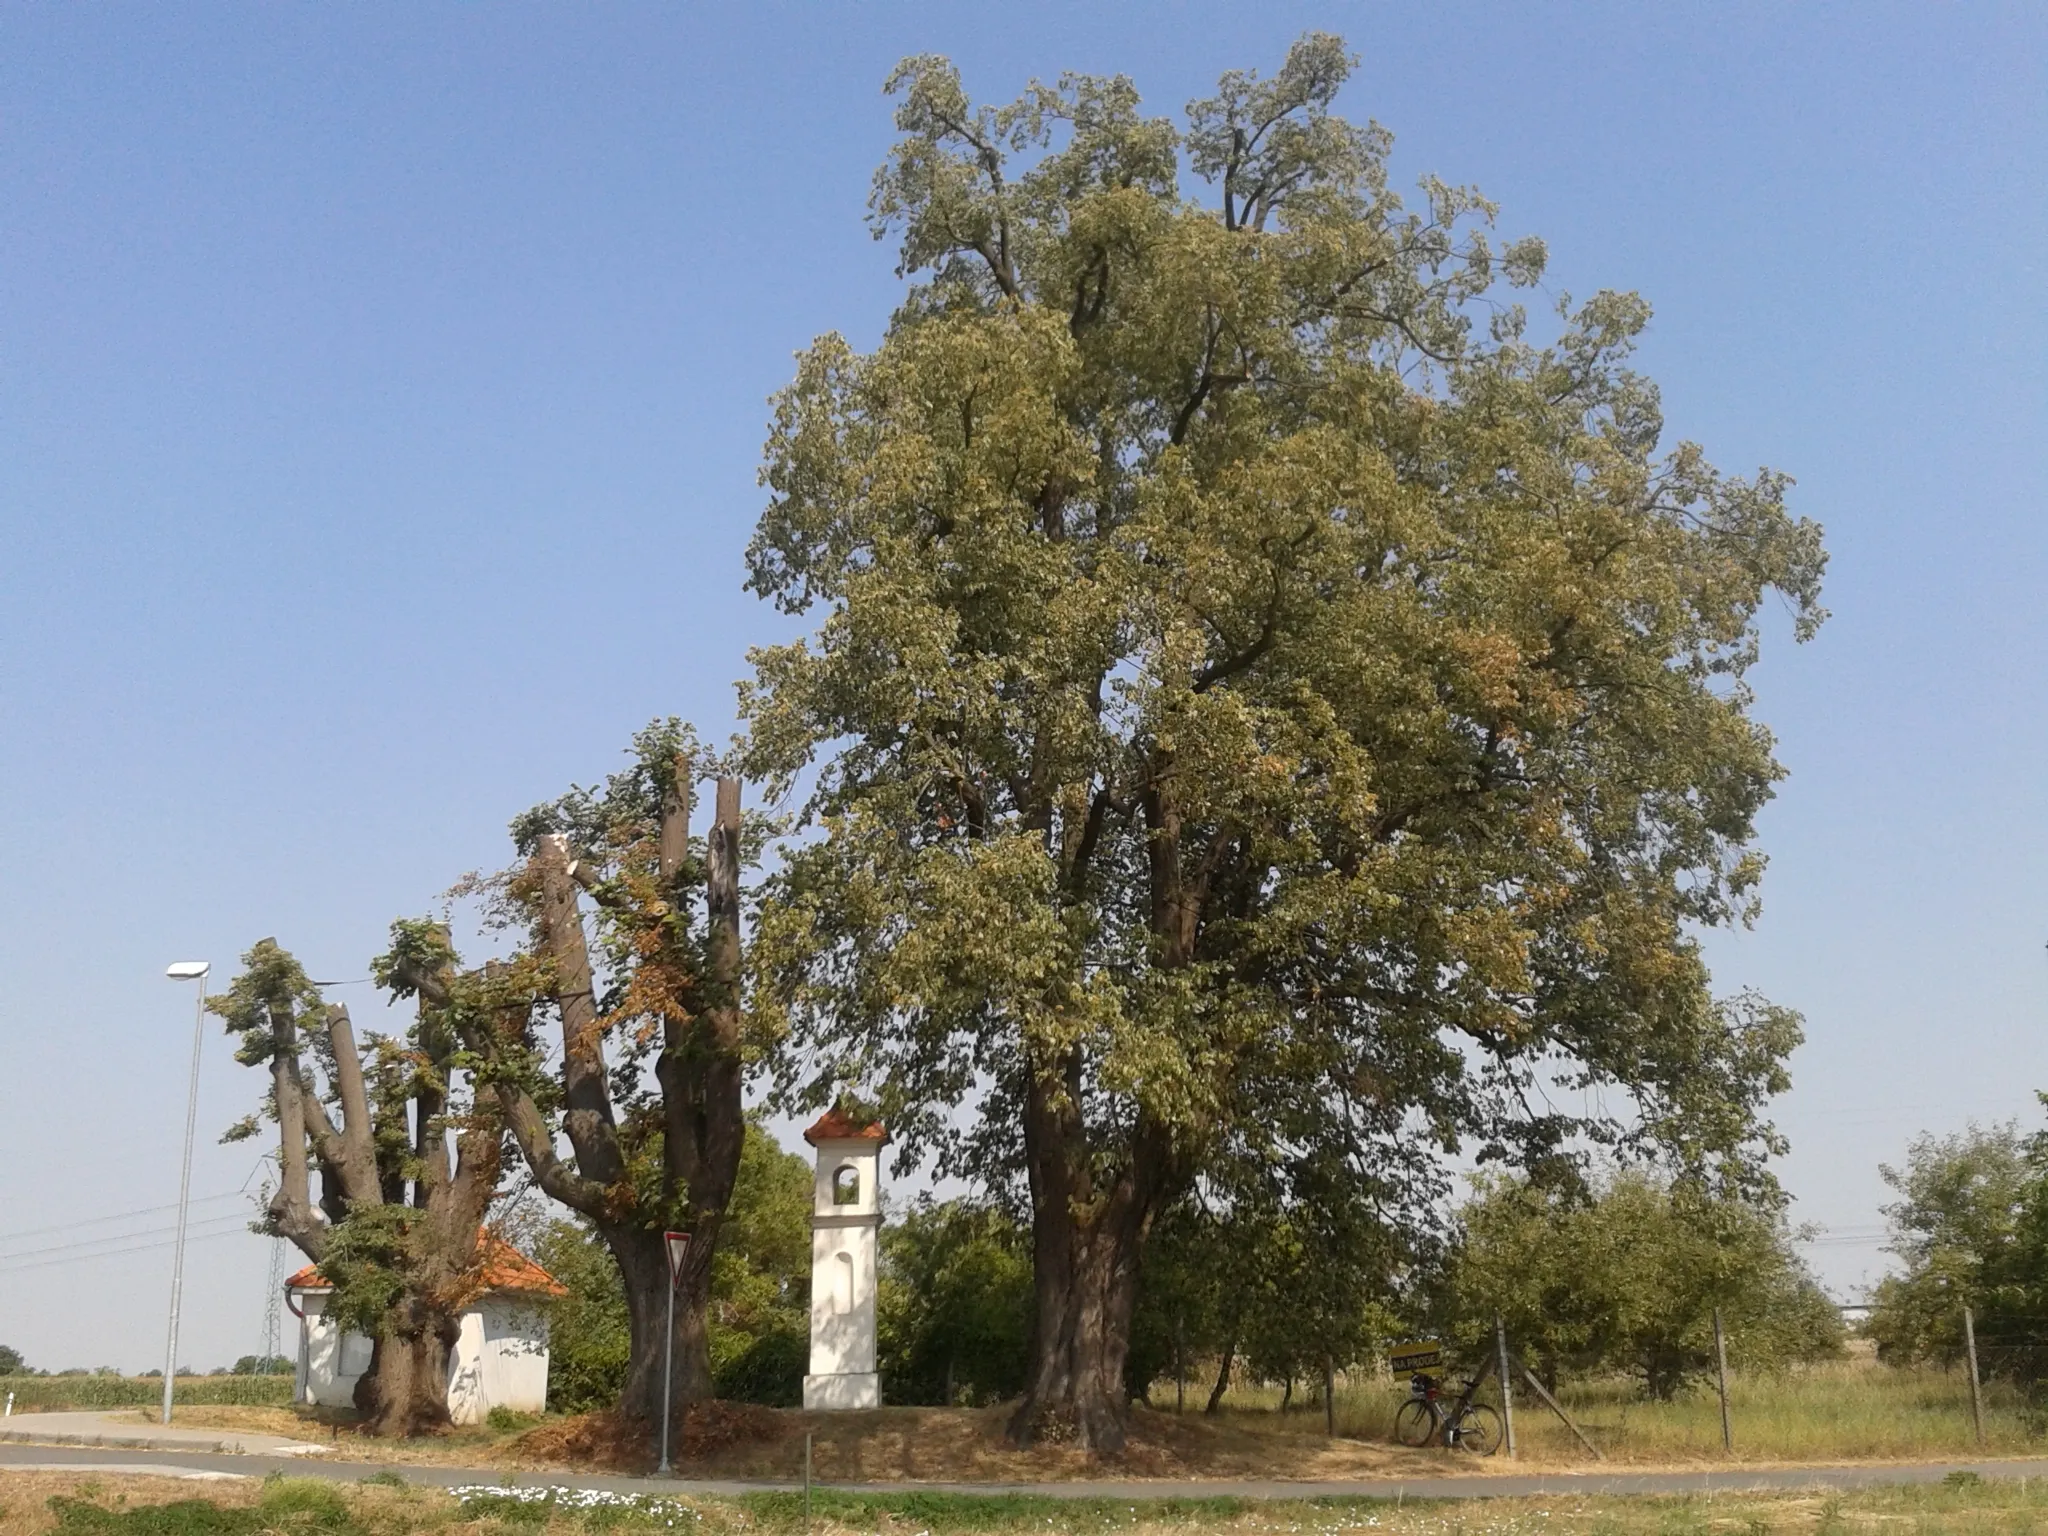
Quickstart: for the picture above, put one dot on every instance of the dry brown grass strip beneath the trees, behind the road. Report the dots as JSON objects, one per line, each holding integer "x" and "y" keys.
{"x": 1852, "y": 1412}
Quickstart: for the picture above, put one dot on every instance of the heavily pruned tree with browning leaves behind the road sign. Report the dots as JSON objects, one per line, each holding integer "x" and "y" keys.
{"x": 644, "y": 1082}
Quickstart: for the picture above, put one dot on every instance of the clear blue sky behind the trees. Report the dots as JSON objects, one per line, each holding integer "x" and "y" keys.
{"x": 382, "y": 392}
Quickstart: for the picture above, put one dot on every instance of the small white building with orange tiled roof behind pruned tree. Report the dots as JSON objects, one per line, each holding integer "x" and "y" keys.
{"x": 501, "y": 1359}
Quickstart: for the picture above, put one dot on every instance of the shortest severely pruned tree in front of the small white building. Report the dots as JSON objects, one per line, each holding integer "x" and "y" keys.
{"x": 396, "y": 1222}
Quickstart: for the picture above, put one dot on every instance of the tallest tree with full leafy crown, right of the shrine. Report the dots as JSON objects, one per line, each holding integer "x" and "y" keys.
{"x": 1252, "y": 695}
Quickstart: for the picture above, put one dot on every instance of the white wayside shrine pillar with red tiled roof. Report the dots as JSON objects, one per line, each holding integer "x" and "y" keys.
{"x": 845, "y": 1226}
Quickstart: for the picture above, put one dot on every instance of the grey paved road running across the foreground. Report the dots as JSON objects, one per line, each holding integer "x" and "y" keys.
{"x": 1416, "y": 1488}
